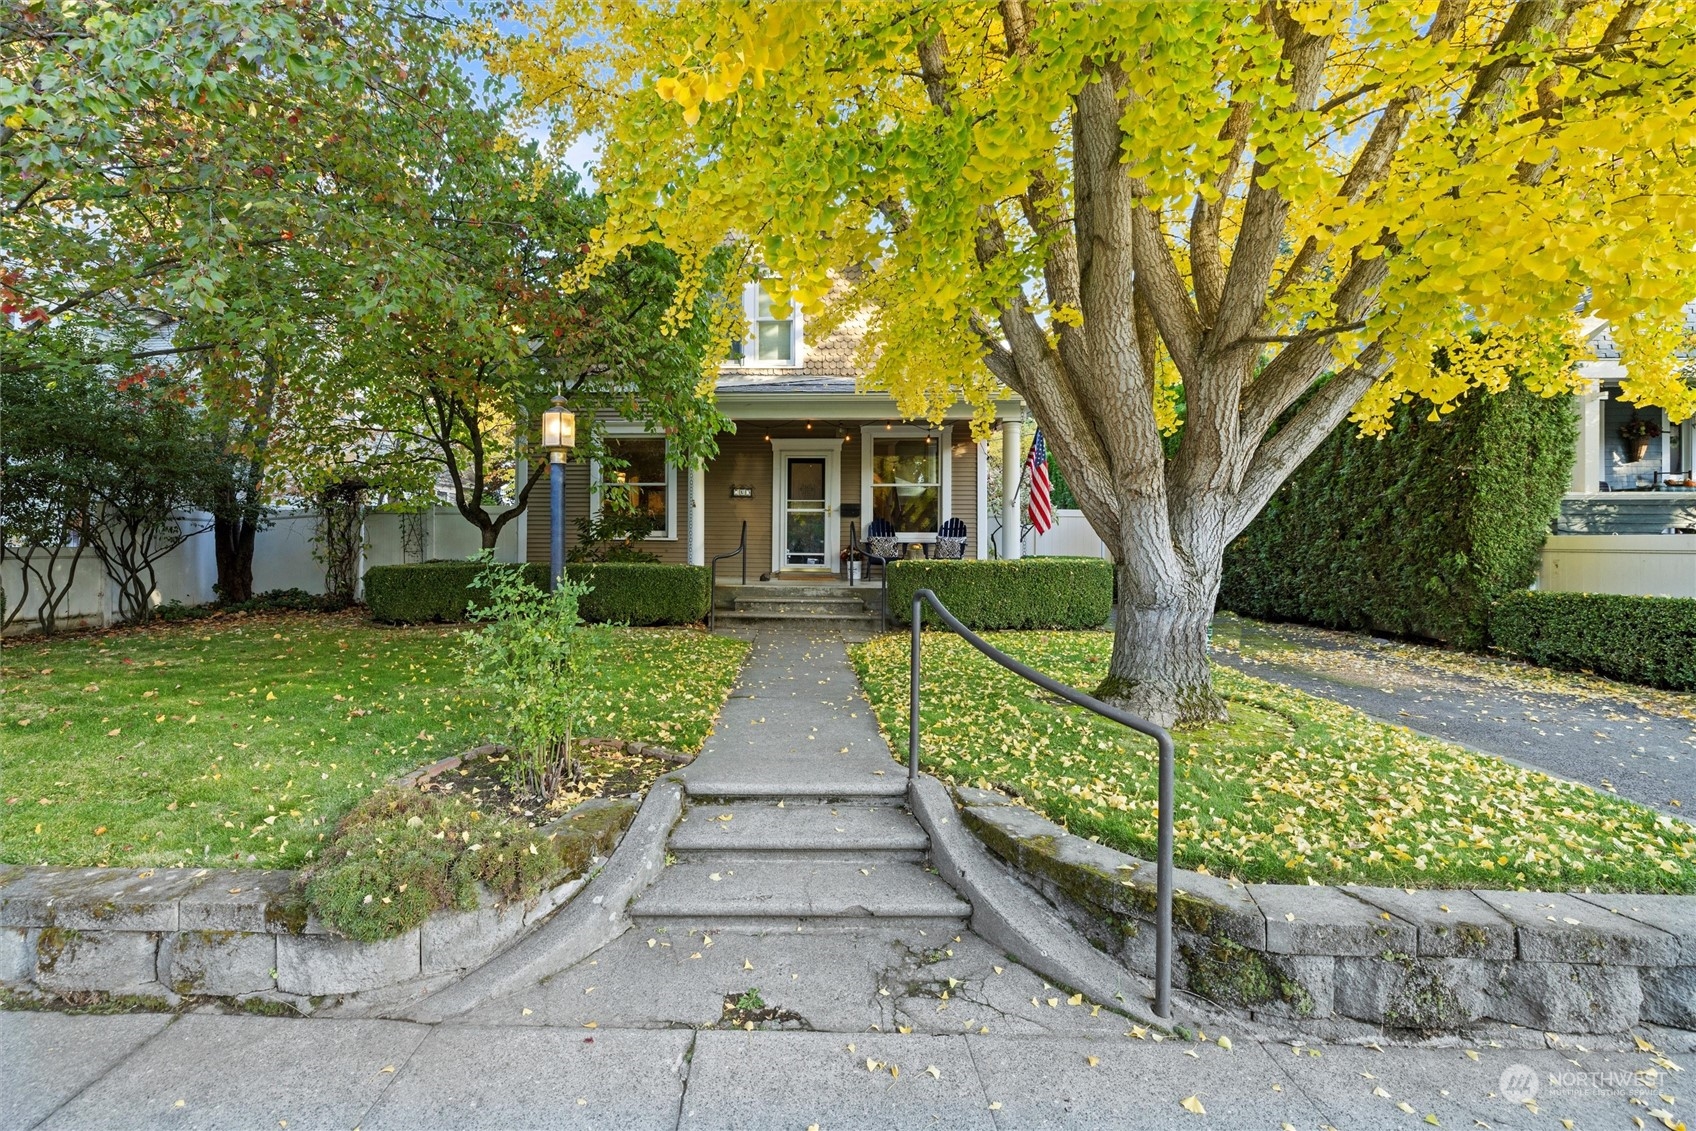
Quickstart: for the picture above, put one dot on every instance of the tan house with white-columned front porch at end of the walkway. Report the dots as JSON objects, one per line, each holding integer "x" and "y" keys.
{"x": 810, "y": 464}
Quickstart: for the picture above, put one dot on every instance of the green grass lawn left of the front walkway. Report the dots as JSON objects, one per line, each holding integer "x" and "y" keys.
{"x": 242, "y": 740}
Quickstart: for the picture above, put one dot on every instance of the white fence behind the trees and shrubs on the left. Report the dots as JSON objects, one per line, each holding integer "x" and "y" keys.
{"x": 282, "y": 559}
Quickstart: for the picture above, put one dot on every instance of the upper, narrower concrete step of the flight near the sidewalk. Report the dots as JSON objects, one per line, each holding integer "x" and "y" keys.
{"x": 849, "y": 833}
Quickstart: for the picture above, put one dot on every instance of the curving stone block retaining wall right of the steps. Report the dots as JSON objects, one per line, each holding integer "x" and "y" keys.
{"x": 1422, "y": 961}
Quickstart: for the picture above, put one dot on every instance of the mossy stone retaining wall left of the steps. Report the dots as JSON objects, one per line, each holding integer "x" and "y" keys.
{"x": 172, "y": 933}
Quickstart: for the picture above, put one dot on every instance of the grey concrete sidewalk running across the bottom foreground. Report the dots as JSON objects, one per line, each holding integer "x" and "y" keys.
{"x": 223, "y": 1072}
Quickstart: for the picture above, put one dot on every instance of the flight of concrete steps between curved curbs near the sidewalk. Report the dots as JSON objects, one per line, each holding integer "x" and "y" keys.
{"x": 800, "y": 864}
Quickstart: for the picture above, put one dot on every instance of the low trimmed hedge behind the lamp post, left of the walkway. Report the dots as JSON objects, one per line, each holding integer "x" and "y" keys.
{"x": 633, "y": 593}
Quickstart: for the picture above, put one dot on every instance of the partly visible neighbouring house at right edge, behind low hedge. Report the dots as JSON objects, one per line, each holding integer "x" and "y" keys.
{"x": 1629, "y": 521}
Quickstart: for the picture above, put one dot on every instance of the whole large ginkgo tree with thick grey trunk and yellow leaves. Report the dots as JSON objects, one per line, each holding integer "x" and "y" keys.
{"x": 1234, "y": 225}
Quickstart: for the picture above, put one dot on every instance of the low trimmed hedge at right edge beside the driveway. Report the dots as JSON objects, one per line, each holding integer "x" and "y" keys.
{"x": 1641, "y": 640}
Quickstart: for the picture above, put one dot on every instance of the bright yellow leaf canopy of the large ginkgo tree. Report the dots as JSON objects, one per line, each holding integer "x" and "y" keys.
{"x": 808, "y": 135}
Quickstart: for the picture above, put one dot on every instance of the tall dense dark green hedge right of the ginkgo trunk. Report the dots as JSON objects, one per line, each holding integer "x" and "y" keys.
{"x": 1417, "y": 533}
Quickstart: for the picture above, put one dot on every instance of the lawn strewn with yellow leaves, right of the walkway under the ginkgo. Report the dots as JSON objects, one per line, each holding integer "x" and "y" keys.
{"x": 1292, "y": 789}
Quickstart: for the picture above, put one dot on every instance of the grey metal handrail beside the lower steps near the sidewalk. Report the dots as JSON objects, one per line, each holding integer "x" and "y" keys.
{"x": 1090, "y": 703}
